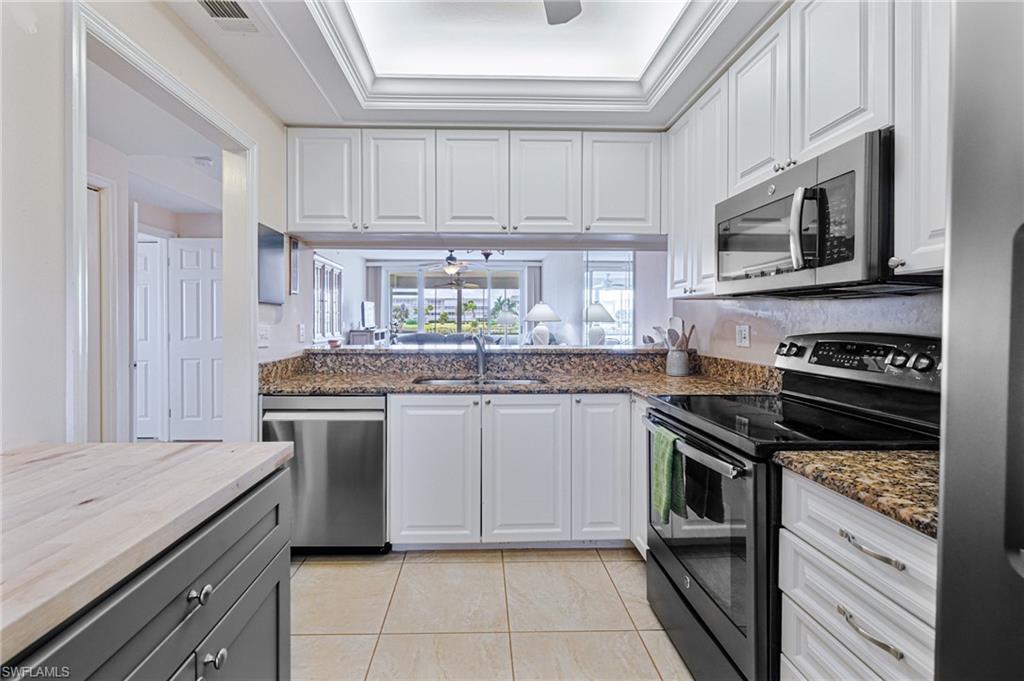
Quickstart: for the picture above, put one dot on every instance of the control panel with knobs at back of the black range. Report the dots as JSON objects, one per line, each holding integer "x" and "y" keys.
{"x": 911, "y": 362}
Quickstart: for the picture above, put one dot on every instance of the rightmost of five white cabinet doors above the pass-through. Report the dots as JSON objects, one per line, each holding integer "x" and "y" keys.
{"x": 622, "y": 183}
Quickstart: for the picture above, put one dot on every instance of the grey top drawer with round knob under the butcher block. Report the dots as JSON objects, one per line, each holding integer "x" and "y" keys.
{"x": 147, "y": 628}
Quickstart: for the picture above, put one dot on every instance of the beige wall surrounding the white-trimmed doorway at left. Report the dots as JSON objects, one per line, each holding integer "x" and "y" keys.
{"x": 33, "y": 273}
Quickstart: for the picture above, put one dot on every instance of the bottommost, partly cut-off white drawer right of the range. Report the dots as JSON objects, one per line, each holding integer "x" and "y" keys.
{"x": 812, "y": 653}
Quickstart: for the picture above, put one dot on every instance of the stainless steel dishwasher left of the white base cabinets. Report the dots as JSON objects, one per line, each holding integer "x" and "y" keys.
{"x": 339, "y": 470}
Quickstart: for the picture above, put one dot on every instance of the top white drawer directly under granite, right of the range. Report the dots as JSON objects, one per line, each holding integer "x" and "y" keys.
{"x": 860, "y": 539}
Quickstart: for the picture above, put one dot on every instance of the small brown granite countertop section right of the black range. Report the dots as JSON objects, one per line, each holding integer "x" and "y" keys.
{"x": 903, "y": 485}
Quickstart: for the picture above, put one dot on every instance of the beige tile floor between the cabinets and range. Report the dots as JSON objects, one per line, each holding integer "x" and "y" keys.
{"x": 553, "y": 614}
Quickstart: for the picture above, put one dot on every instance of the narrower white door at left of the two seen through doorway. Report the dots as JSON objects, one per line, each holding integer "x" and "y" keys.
{"x": 151, "y": 340}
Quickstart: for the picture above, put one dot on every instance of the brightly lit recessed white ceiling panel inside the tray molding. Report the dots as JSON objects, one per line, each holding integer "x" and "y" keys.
{"x": 609, "y": 40}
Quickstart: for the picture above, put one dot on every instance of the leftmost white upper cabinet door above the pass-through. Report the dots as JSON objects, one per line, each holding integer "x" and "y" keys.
{"x": 323, "y": 180}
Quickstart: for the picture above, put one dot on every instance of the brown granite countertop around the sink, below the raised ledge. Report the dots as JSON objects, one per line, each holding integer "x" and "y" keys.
{"x": 643, "y": 385}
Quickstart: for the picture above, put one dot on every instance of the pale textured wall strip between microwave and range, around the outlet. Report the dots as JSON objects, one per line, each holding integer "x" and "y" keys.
{"x": 774, "y": 319}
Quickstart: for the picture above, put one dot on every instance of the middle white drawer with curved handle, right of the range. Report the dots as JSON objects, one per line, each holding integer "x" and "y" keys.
{"x": 894, "y": 644}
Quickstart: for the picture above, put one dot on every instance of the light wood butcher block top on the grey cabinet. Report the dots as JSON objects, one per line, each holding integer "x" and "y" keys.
{"x": 77, "y": 520}
